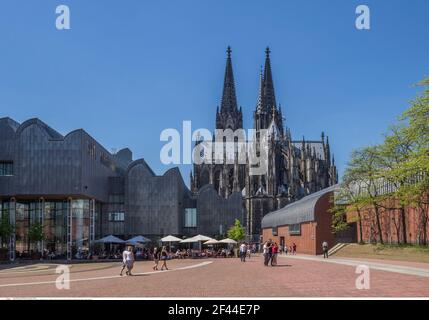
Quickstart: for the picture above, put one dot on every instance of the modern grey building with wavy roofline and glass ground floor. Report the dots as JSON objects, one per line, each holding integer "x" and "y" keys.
{"x": 77, "y": 191}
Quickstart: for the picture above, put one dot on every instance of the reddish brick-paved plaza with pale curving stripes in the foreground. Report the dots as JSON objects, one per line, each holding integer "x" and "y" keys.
{"x": 294, "y": 276}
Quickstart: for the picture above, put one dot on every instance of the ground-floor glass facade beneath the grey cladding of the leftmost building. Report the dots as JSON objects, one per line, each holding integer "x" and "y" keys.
{"x": 52, "y": 217}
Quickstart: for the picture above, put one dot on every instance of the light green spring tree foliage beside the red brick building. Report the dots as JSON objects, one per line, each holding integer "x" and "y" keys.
{"x": 402, "y": 161}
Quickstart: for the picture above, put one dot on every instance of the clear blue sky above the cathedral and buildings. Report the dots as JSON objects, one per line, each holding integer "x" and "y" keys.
{"x": 129, "y": 69}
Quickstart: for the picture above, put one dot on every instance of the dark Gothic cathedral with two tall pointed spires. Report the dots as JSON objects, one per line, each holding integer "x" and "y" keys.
{"x": 295, "y": 168}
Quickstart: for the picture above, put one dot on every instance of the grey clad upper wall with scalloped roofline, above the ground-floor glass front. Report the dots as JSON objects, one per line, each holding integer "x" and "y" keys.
{"x": 47, "y": 164}
